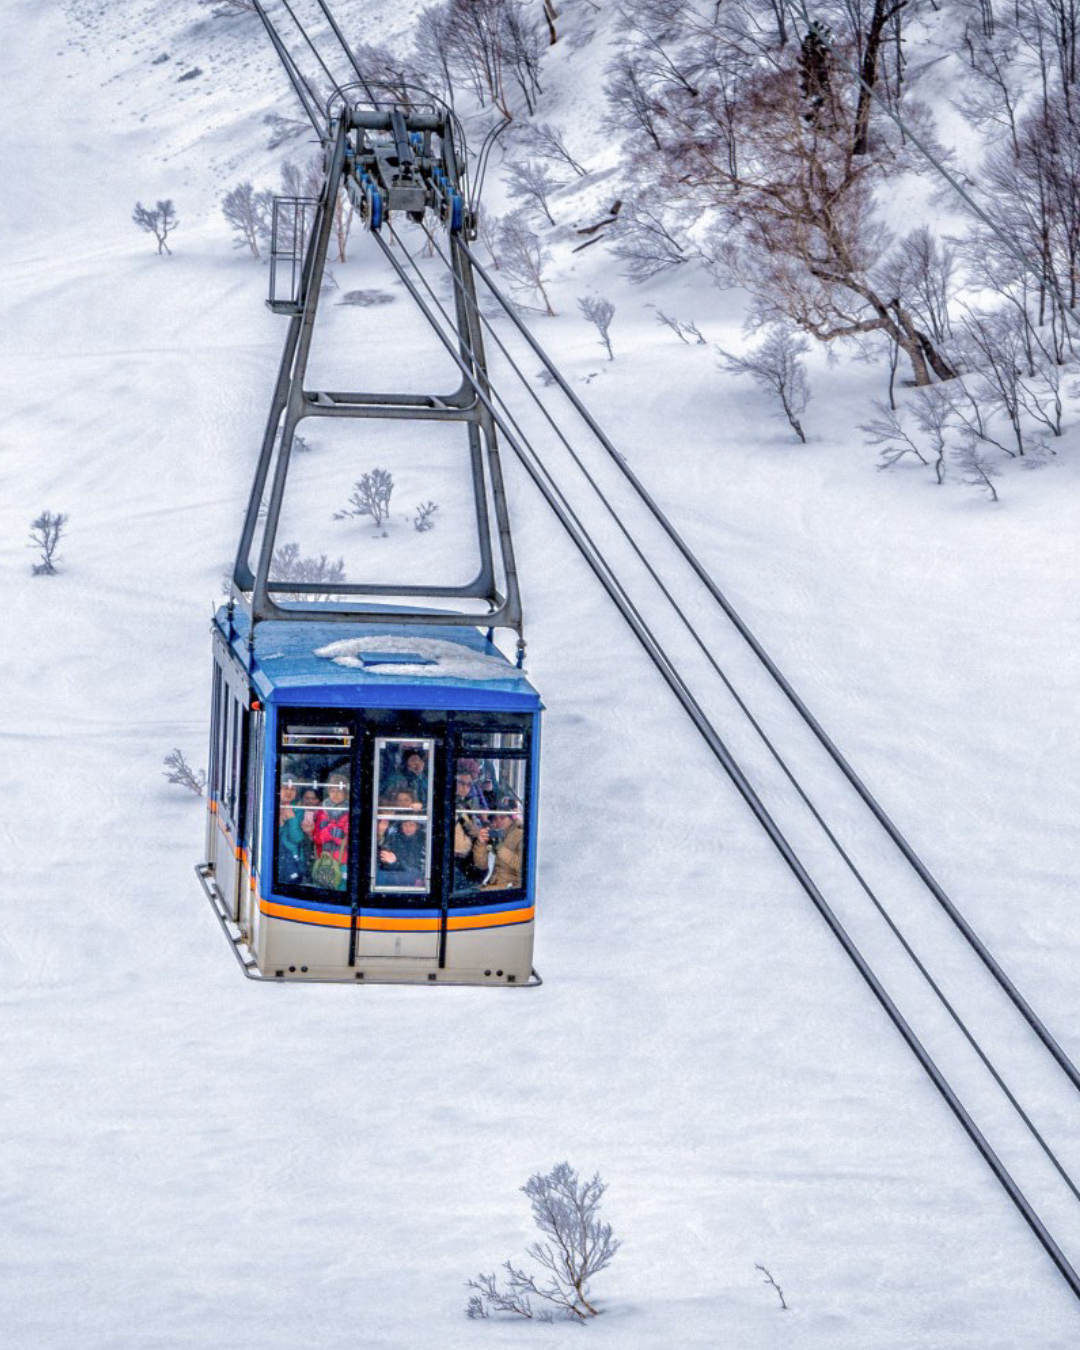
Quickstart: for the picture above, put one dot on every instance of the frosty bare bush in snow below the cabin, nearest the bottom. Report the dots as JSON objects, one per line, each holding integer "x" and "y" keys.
{"x": 577, "y": 1247}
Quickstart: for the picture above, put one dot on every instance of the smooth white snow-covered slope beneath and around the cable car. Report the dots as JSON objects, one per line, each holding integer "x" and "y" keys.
{"x": 190, "y": 1160}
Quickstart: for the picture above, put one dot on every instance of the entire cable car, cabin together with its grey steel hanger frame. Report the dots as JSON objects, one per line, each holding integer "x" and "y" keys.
{"x": 375, "y": 755}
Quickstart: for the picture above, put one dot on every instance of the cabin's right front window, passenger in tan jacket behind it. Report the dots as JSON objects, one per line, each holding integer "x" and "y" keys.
{"x": 491, "y": 777}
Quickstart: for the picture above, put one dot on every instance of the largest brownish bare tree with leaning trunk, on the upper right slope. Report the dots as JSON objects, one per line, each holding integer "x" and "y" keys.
{"x": 794, "y": 196}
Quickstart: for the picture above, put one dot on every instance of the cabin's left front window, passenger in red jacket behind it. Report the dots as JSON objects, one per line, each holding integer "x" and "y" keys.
{"x": 314, "y": 792}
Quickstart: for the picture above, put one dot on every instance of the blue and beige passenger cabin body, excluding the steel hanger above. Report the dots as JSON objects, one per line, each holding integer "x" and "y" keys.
{"x": 373, "y": 803}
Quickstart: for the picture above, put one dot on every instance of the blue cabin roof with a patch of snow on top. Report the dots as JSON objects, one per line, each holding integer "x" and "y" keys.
{"x": 443, "y": 666}
